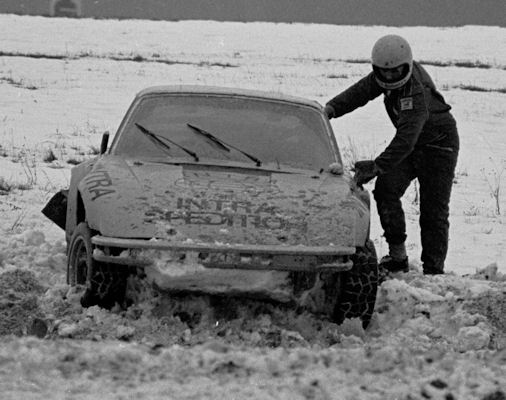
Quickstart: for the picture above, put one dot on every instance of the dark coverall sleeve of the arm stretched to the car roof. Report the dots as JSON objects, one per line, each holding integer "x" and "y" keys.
{"x": 355, "y": 96}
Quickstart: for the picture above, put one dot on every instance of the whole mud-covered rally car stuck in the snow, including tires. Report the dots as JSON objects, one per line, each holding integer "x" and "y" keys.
{"x": 224, "y": 192}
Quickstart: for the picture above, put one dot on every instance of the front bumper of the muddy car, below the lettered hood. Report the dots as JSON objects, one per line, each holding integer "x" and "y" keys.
{"x": 142, "y": 253}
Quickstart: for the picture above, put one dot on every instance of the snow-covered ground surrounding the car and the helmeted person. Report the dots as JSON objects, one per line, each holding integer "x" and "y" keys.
{"x": 64, "y": 82}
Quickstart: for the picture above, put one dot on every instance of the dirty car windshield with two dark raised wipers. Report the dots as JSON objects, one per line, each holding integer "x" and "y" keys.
{"x": 272, "y": 131}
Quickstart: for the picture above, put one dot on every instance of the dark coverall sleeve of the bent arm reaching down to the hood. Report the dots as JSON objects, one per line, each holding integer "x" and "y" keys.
{"x": 413, "y": 113}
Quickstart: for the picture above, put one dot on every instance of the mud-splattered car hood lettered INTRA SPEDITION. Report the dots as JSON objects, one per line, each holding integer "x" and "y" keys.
{"x": 218, "y": 204}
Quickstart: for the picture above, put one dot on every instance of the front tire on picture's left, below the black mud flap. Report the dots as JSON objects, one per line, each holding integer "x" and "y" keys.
{"x": 105, "y": 283}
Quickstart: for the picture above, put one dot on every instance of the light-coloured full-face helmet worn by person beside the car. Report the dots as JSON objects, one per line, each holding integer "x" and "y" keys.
{"x": 392, "y": 51}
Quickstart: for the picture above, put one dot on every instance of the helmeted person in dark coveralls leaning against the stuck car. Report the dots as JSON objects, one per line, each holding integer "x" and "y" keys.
{"x": 425, "y": 146}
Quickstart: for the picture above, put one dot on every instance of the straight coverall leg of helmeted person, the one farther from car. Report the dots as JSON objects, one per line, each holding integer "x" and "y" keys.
{"x": 436, "y": 170}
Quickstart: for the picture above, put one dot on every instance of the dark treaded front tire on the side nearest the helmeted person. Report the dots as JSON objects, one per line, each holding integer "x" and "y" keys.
{"x": 359, "y": 287}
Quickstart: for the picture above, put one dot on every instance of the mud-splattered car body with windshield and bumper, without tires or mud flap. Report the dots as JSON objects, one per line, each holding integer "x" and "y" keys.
{"x": 239, "y": 178}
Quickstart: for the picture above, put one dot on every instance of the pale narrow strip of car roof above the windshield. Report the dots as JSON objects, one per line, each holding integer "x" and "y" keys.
{"x": 227, "y": 91}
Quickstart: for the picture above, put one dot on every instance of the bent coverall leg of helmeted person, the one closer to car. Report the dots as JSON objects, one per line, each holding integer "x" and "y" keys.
{"x": 388, "y": 191}
